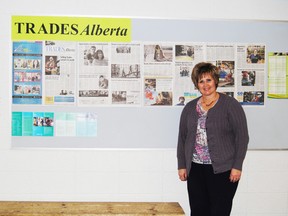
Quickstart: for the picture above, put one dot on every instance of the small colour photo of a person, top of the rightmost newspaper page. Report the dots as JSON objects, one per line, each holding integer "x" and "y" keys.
{"x": 255, "y": 54}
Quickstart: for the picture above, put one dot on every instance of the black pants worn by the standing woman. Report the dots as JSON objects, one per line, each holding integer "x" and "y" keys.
{"x": 210, "y": 194}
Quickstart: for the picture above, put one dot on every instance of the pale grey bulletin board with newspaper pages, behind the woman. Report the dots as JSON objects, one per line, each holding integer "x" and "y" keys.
{"x": 134, "y": 91}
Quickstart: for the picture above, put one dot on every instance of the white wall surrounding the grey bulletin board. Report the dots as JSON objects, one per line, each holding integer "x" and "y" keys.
{"x": 129, "y": 175}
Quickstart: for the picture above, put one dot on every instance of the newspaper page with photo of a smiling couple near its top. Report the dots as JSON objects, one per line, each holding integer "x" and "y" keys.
{"x": 93, "y": 77}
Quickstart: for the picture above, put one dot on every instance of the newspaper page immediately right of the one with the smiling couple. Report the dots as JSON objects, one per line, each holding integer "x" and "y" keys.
{"x": 126, "y": 74}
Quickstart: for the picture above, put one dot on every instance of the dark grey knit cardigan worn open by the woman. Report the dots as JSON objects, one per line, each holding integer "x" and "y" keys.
{"x": 227, "y": 134}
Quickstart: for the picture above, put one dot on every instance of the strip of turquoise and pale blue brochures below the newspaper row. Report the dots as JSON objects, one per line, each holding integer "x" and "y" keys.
{"x": 52, "y": 124}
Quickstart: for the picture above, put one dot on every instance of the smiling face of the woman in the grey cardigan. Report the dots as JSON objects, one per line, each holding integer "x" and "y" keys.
{"x": 206, "y": 85}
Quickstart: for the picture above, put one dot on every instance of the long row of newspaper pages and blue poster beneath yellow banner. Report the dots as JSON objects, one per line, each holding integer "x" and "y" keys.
{"x": 131, "y": 74}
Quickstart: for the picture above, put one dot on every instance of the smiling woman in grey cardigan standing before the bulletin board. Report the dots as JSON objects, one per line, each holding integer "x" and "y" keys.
{"x": 212, "y": 144}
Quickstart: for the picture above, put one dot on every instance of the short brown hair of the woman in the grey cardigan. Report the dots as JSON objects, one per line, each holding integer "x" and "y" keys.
{"x": 204, "y": 68}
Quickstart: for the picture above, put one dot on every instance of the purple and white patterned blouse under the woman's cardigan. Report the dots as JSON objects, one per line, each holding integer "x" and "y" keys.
{"x": 201, "y": 152}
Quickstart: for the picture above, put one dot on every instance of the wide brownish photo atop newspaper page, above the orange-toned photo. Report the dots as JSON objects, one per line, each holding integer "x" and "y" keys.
{"x": 158, "y": 53}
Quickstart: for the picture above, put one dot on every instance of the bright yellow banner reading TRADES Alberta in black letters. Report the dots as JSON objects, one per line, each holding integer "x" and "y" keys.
{"x": 71, "y": 28}
